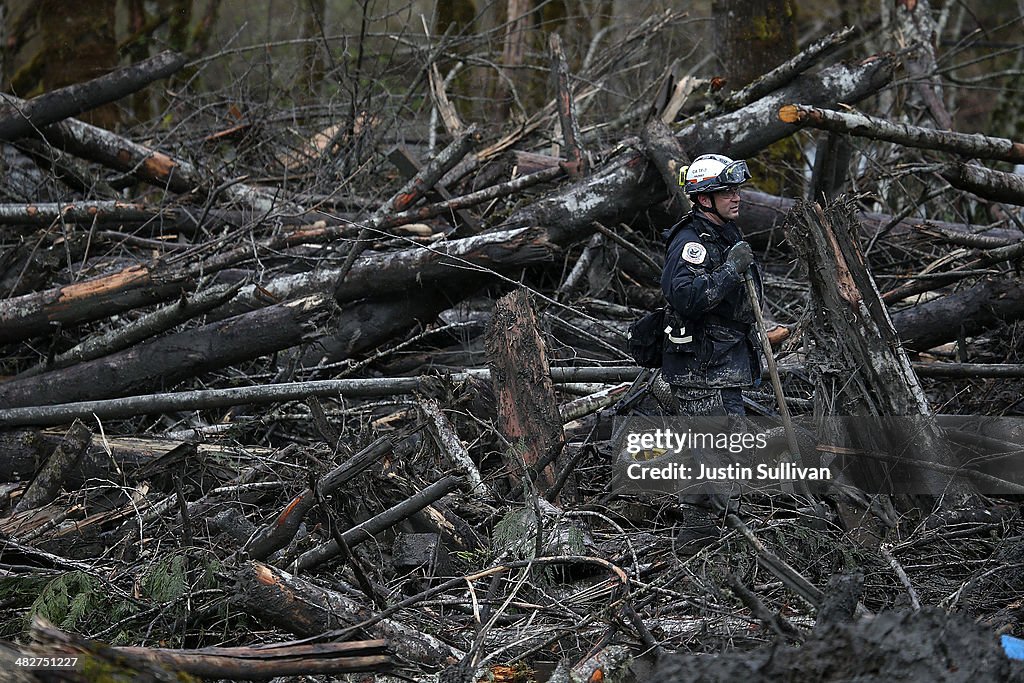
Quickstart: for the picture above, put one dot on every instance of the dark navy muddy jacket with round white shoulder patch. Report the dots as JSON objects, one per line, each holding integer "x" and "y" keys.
{"x": 712, "y": 343}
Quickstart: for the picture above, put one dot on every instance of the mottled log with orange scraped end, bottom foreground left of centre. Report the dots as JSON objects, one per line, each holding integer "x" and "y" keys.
{"x": 306, "y": 610}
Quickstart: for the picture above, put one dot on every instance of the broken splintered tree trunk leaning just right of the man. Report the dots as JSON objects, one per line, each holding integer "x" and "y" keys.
{"x": 858, "y": 354}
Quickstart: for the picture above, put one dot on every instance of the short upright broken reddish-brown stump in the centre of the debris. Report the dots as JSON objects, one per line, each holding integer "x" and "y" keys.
{"x": 522, "y": 377}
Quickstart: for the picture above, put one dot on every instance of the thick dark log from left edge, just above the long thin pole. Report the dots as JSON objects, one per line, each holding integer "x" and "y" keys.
{"x": 172, "y": 359}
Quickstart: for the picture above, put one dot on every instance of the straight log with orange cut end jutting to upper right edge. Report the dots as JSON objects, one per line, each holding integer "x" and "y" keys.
{"x": 975, "y": 146}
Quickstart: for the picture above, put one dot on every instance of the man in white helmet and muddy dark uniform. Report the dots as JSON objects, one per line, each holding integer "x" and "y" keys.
{"x": 711, "y": 352}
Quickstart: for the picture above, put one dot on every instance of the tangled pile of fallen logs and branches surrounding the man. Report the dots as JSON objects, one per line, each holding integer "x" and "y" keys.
{"x": 376, "y": 434}
